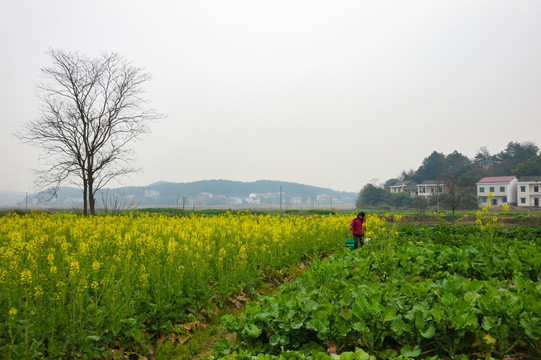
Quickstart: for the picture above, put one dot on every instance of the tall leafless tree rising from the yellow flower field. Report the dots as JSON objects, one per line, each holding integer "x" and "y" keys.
{"x": 92, "y": 111}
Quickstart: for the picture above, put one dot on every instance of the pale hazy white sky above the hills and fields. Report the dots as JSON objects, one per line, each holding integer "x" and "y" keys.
{"x": 325, "y": 93}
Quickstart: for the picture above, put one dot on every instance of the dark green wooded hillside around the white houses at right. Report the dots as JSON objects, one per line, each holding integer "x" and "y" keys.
{"x": 458, "y": 175}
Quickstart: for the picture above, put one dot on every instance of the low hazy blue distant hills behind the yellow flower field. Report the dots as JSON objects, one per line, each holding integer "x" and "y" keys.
{"x": 198, "y": 194}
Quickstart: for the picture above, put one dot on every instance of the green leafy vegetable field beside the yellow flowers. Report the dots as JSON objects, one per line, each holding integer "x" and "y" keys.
{"x": 413, "y": 292}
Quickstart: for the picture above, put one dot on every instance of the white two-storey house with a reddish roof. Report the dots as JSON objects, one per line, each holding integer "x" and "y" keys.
{"x": 503, "y": 188}
